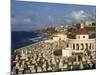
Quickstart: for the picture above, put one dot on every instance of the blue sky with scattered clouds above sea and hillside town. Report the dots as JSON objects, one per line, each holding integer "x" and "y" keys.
{"x": 28, "y": 16}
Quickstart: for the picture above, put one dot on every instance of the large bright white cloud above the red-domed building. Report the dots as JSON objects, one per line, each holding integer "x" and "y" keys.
{"x": 77, "y": 16}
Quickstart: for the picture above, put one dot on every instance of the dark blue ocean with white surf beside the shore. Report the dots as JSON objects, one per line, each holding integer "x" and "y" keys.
{"x": 21, "y": 38}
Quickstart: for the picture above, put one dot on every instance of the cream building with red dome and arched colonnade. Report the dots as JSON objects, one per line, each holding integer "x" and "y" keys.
{"x": 82, "y": 41}
